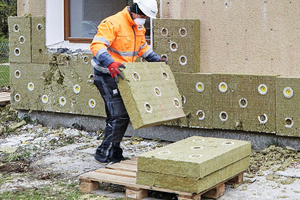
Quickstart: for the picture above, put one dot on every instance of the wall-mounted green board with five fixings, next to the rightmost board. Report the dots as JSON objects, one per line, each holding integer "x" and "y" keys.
{"x": 244, "y": 102}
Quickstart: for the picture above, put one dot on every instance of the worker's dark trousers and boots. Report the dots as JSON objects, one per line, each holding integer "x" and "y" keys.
{"x": 116, "y": 121}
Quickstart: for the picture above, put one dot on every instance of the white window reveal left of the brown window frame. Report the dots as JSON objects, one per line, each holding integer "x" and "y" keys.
{"x": 54, "y": 21}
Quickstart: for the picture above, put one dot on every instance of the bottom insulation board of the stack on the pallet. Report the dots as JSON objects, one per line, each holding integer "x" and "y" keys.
{"x": 192, "y": 185}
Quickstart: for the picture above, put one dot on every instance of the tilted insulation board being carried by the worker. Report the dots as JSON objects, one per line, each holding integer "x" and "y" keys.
{"x": 150, "y": 94}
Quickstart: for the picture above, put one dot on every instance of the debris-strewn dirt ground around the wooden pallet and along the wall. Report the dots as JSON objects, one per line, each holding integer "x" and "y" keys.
{"x": 40, "y": 159}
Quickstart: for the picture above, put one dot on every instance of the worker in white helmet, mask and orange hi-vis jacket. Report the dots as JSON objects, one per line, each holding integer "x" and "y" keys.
{"x": 120, "y": 38}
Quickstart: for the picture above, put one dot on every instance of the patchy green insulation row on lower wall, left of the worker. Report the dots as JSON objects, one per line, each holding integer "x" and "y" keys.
{"x": 57, "y": 88}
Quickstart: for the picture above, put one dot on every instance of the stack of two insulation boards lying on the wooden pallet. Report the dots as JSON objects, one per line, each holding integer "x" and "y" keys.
{"x": 193, "y": 164}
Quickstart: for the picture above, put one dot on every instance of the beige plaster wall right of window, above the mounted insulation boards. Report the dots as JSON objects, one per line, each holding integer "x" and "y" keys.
{"x": 239, "y": 36}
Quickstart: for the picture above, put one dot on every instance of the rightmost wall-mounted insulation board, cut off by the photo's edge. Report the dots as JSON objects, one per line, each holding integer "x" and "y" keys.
{"x": 287, "y": 106}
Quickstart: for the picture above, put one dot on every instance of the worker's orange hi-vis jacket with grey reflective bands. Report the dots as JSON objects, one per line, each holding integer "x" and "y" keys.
{"x": 121, "y": 38}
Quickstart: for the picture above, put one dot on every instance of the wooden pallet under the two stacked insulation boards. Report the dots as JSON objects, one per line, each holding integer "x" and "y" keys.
{"x": 124, "y": 174}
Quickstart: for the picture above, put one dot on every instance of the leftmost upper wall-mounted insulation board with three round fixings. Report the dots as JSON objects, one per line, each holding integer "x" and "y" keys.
{"x": 19, "y": 39}
